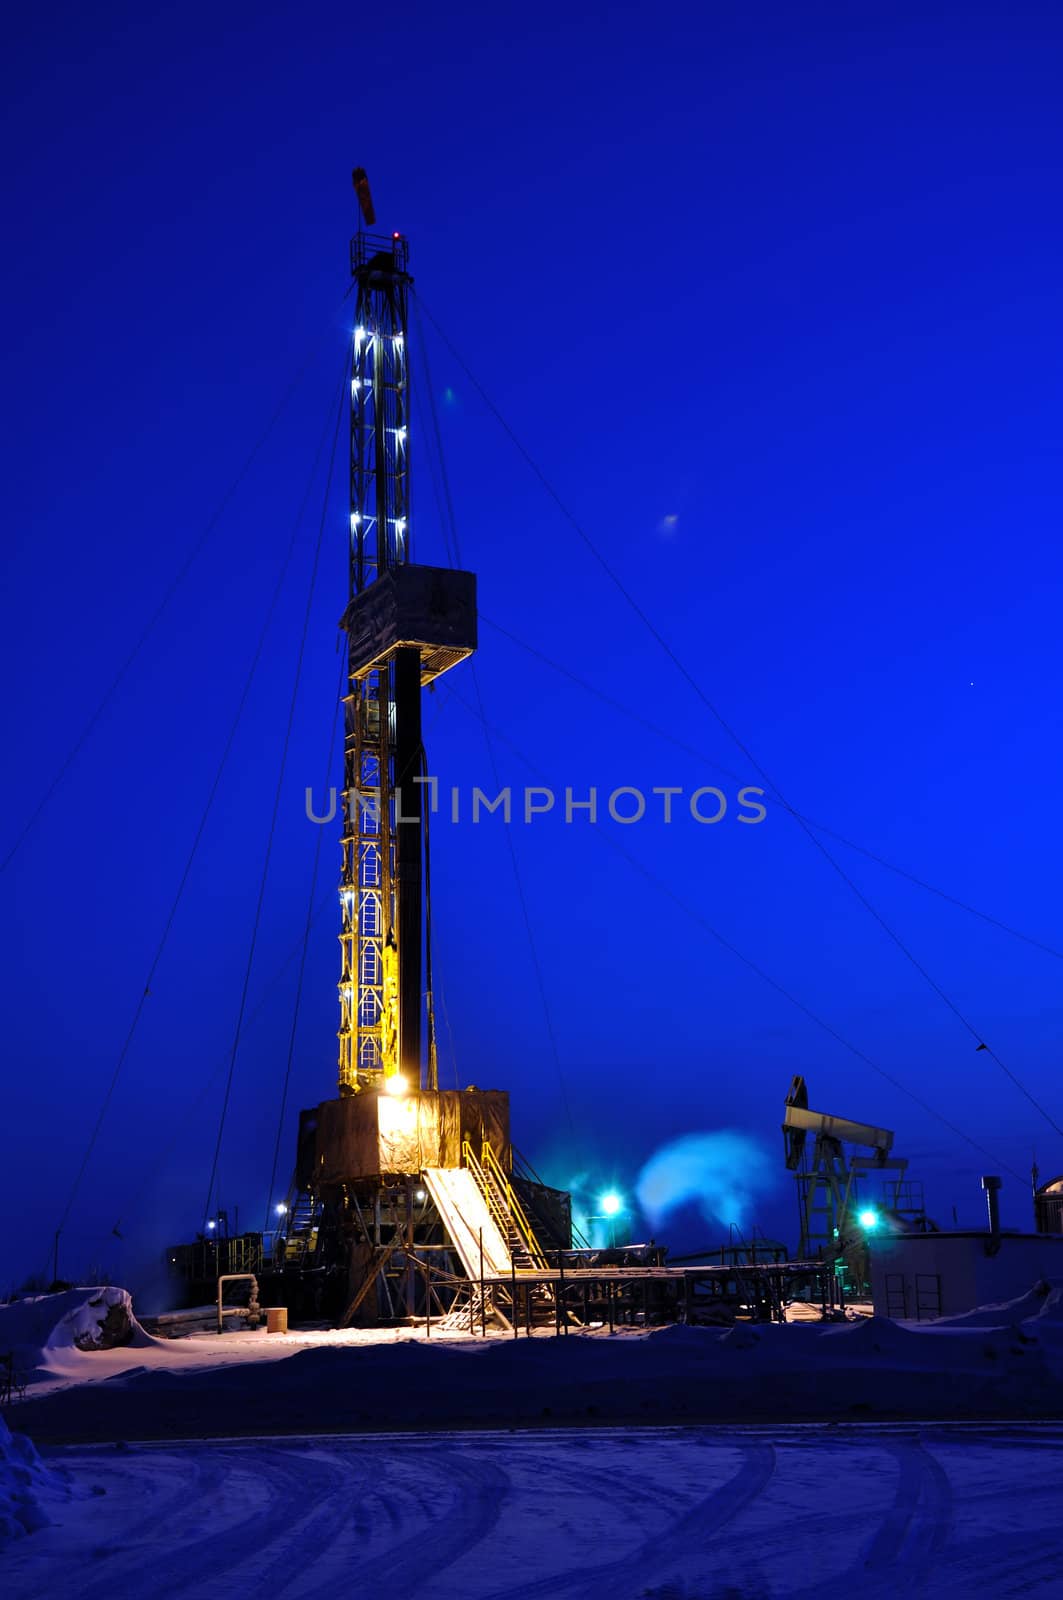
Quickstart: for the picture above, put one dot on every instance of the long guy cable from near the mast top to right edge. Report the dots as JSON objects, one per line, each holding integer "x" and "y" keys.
{"x": 732, "y": 735}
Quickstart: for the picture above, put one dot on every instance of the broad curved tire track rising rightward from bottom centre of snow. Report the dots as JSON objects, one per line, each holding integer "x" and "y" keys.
{"x": 660, "y": 1554}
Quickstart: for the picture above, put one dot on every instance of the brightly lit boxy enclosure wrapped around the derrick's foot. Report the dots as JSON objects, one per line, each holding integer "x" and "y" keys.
{"x": 377, "y": 1135}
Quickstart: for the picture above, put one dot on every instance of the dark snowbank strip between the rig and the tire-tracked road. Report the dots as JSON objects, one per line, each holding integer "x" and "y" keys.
{"x": 1003, "y": 1364}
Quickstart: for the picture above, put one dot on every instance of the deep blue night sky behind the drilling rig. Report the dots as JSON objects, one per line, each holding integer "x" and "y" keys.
{"x": 772, "y": 297}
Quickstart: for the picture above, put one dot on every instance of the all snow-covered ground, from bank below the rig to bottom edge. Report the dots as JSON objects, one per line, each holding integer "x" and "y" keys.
{"x": 388, "y": 1465}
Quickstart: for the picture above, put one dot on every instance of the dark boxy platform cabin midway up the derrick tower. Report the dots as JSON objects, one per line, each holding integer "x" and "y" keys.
{"x": 430, "y": 609}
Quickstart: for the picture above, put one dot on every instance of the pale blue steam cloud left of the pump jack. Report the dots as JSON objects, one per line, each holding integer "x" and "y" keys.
{"x": 721, "y": 1172}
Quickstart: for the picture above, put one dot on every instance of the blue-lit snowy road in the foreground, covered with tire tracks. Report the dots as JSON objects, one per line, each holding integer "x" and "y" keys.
{"x": 675, "y": 1514}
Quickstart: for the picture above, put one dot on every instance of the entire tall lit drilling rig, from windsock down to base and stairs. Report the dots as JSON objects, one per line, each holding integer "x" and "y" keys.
{"x": 401, "y": 1188}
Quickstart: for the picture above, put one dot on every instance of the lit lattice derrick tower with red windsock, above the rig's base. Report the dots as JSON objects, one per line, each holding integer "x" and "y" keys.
{"x": 404, "y": 626}
